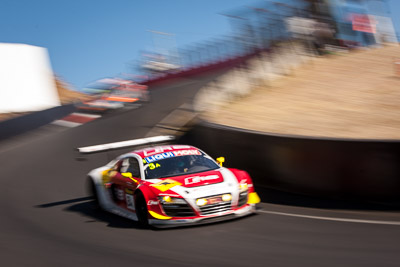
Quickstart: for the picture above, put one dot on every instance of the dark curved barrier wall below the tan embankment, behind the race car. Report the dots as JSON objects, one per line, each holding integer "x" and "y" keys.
{"x": 338, "y": 168}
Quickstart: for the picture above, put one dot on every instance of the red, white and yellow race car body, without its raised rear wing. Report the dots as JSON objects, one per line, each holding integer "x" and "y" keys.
{"x": 172, "y": 185}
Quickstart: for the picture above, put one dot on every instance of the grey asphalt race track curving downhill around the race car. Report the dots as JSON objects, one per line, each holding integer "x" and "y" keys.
{"x": 47, "y": 218}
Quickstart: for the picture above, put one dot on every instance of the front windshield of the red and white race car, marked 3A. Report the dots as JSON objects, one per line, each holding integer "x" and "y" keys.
{"x": 181, "y": 165}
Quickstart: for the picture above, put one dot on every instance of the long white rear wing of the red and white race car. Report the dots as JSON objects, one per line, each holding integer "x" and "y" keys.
{"x": 125, "y": 144}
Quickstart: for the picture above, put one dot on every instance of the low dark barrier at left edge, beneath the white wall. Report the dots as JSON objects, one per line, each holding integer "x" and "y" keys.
{"x": 33, "y": 120}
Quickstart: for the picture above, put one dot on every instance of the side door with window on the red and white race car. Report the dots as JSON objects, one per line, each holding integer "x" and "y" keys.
{"x": 125, "y": 181}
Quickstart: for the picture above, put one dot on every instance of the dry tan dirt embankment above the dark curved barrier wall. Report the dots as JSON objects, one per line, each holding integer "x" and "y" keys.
{"x": 354, "y": 95}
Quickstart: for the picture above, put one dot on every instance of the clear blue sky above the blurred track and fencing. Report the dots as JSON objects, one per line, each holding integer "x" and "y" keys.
{"x": 88, "y": 40}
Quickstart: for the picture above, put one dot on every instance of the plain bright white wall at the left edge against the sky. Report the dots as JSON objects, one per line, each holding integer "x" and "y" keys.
{"x": 26, "y": 79}
